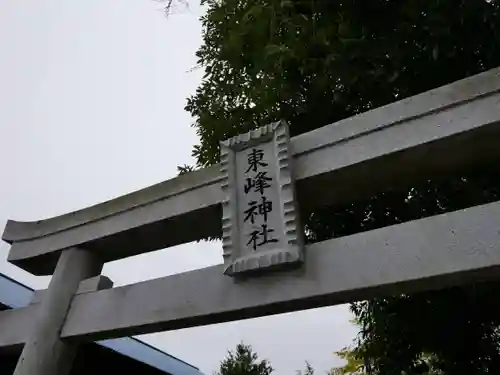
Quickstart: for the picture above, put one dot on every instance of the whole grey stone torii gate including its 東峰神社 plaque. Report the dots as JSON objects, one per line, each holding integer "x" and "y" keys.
{"x": 440, "y": 131}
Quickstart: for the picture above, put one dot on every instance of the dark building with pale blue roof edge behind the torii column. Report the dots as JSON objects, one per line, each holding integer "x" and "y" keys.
{"x": 124, "y": 356}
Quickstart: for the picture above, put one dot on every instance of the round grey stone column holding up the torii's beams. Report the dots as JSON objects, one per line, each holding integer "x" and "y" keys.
{"x": 44, "y": 352}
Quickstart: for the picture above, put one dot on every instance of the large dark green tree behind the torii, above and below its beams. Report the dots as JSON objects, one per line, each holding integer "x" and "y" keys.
{"x": 313, "y": 62}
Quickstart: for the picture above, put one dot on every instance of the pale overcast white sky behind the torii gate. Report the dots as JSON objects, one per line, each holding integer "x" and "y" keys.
{"x": 91, "y": 107}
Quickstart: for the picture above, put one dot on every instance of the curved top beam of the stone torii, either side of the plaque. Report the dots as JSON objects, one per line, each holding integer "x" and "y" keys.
{"x": 433, "y": 132}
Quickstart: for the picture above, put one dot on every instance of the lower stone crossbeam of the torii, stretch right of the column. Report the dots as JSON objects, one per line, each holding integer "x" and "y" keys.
{"x": 432, "y": 253}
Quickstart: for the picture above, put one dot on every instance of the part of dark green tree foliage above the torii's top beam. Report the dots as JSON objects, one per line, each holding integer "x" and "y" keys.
{"x": 313, "y": 62}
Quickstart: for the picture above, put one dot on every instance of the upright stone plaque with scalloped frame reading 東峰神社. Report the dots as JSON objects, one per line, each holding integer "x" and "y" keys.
{"x": 260, "y": 223}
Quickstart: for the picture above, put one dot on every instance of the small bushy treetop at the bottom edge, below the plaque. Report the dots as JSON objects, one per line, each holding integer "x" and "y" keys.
{"x": 243, "y": 361}
